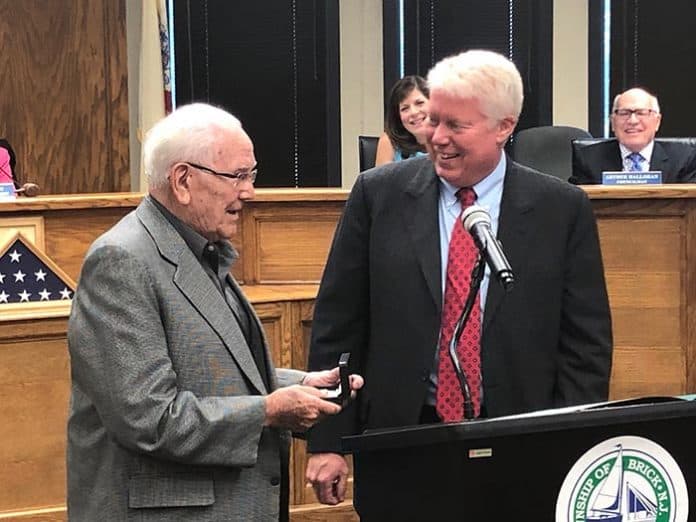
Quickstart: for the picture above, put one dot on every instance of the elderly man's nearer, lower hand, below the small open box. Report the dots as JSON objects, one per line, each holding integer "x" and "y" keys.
{"x": 298, "y": 407}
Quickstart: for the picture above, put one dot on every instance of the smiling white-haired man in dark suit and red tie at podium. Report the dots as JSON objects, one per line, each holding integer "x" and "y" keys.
{"x": 546, "y": 343}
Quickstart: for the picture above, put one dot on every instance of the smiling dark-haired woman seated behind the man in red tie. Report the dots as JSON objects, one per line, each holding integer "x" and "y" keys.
{"x": 406, "y": 121}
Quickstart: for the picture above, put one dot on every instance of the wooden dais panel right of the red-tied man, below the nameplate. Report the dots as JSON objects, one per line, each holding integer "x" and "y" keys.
{"x": 645, "y": 250}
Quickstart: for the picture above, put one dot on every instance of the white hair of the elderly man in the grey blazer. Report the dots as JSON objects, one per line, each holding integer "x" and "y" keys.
{"x": 184, "y": 135}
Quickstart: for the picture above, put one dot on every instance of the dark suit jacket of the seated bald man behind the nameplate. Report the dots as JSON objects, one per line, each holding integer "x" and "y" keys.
{"x": 676, "y": 161}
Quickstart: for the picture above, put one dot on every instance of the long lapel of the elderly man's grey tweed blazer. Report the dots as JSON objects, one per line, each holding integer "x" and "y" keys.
{"x": 199, "y": 290}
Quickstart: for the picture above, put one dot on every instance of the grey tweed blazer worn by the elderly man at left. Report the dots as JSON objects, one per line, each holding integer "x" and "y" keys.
{"x": 166, "y": 412}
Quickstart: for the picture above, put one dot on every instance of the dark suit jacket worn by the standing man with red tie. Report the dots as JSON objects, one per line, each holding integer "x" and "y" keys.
{"x": 546, "y": 343}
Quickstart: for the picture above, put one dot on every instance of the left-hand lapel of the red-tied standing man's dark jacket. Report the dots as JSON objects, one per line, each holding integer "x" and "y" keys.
{"x": 420, "y": 212}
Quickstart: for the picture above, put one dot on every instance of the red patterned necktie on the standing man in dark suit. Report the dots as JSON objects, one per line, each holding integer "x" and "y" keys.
{"x": 460, "y": 262}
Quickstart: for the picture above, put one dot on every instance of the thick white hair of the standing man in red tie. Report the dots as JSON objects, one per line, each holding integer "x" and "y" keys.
{"x": 486, "y": 76}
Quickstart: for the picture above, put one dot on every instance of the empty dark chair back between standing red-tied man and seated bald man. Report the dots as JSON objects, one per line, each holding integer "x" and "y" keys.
{"x": 547, "y": 149}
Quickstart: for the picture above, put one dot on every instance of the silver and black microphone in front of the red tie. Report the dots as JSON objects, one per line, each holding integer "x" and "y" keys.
{"x": 478, "y": 222}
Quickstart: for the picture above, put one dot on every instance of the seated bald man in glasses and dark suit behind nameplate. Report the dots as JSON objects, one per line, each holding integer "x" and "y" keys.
{"x": 635, "y": 118}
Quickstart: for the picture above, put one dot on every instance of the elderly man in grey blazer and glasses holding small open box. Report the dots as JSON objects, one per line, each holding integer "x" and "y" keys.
{"x": 176, "y": 411}
